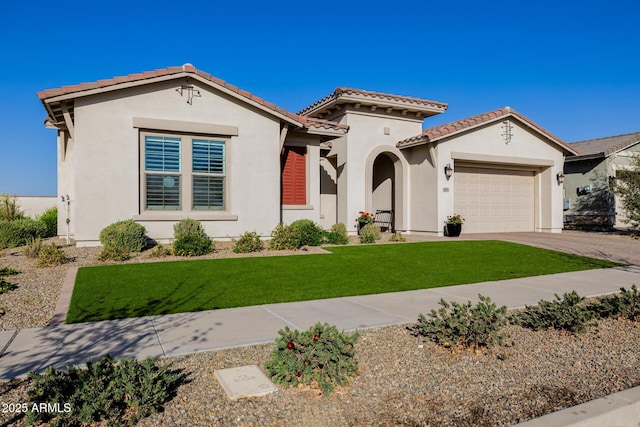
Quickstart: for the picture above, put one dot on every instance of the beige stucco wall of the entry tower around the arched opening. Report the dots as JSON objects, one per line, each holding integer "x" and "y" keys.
{"x": 370, "y": 135}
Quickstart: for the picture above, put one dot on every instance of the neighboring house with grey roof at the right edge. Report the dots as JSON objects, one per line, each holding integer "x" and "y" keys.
{"x": 589, "y": 197}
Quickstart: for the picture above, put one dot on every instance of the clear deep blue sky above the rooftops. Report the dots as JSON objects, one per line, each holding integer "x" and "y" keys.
{"x": 572, "y": 67}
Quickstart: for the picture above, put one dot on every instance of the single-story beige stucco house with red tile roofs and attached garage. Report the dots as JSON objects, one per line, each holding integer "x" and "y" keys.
{"x": 177, "y": 142}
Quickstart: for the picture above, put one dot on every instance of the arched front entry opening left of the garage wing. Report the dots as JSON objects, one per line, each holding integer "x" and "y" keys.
{"x": 385, "y": 185}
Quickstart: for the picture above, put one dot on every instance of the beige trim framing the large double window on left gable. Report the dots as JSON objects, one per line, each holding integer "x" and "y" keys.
{"x": 186, "y": 174}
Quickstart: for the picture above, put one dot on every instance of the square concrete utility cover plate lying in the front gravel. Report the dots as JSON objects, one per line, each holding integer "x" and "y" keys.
{"x": 245, "y": 381}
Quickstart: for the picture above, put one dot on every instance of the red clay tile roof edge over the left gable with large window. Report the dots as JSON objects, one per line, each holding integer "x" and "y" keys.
{"x": 113, "y": 83}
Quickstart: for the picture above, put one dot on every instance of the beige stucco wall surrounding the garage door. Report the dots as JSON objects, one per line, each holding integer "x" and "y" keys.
{"x": 487, "y": 147}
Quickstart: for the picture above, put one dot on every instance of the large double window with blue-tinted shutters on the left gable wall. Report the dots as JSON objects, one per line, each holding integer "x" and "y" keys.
{"x": 183, "y": 173}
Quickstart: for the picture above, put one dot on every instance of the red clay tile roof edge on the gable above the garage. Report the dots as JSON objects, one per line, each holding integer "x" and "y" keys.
{"x": 436, "y": 133}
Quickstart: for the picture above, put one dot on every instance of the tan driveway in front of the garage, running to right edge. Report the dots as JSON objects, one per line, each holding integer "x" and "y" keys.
{"x": 609, "y": 246}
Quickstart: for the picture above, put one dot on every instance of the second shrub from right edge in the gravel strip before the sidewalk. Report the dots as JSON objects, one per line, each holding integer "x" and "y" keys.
{"x": 568, "y": 313}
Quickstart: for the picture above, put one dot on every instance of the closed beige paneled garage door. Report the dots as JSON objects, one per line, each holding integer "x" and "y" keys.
{"x": 494, "y": 200}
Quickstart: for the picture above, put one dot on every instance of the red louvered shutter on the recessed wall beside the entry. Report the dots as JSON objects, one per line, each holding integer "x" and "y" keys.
{"x": 294, "y": 176}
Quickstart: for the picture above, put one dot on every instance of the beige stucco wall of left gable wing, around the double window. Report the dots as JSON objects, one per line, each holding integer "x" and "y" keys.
{"x": 107, "y": 162}
